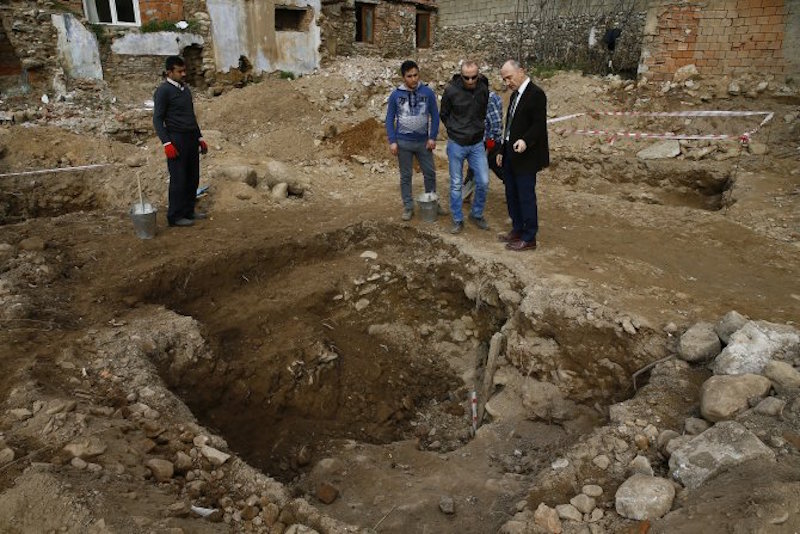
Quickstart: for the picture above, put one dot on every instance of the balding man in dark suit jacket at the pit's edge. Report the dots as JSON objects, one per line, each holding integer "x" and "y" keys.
{"x": 524, "y": 152}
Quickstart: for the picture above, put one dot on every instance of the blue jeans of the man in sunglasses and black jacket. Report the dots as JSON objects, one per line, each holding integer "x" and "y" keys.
{"x": 476, "y": 157}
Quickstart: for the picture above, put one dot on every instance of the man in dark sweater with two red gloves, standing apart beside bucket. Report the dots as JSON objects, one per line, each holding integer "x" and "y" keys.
{"x": 176, "y": 126}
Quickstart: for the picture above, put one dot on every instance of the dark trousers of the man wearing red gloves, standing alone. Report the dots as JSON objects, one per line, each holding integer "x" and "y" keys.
{"x": 184, "y": 176}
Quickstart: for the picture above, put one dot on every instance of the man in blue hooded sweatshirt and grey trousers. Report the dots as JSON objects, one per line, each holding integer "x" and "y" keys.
{"x": 412, "y": 124}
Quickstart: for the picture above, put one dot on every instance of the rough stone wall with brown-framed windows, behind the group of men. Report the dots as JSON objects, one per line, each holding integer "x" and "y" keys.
{"x": 394, "y": 32}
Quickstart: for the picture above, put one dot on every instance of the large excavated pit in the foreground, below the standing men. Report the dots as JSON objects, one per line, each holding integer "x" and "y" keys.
{"x": 361, "y": 347}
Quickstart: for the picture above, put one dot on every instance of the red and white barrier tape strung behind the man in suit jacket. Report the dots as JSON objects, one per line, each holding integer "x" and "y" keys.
{"x": 742, "y": 138}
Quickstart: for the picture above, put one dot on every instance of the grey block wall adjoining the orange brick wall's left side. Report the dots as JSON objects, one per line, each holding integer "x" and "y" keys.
{"x": 570, "y": 34}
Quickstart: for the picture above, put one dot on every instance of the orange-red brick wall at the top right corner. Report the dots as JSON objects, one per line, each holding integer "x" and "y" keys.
{"x": 723, "y": 37}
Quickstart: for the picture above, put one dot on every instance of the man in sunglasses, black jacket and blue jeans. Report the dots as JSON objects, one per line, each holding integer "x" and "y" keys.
{"x": 464, "y": 115}
